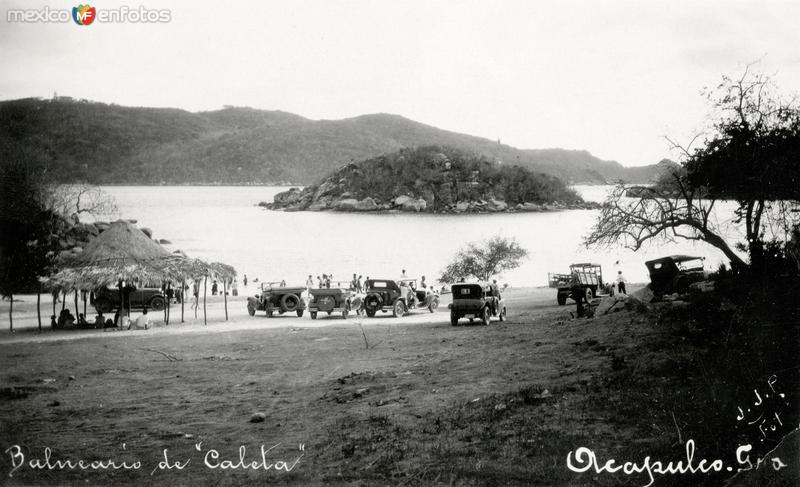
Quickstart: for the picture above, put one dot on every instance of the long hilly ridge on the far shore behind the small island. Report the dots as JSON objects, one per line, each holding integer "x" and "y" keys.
{"x": 108, "y": 144}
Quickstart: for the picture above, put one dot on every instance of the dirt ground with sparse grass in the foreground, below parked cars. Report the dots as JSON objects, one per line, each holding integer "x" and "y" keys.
{"x": 381, "y": 401}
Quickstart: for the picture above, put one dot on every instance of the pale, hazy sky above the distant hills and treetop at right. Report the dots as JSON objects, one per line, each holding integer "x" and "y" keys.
{"x": 610, "y": 77}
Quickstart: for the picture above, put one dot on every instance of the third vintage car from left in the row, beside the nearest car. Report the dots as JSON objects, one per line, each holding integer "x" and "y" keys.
{"x": 385, "y": 295}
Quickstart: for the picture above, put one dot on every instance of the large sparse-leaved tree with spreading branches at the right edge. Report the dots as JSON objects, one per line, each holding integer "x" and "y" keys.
{"x": 749, "y": 156}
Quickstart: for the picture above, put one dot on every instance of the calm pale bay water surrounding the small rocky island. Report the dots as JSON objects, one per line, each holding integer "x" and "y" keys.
{"x": 224, "y": 224}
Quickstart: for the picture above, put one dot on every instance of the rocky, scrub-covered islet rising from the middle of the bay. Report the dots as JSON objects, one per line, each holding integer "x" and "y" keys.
{"x": 431, "y": 179}
